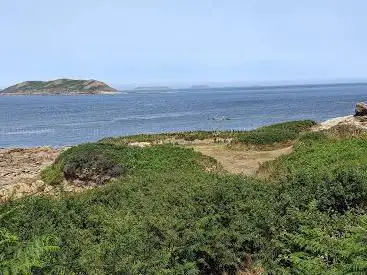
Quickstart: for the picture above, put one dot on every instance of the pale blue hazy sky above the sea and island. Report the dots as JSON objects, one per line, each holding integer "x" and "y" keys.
{"x": 150, "y": 42}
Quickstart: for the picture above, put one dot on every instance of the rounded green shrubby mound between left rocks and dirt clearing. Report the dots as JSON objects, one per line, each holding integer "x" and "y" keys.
{"x": 97, "y": 162}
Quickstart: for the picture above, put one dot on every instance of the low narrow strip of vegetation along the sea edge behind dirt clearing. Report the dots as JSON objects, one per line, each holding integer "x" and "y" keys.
{"x": 268, "y": 135}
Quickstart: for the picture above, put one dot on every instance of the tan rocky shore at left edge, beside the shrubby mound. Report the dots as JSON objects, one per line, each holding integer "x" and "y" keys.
{"x": 20, "y": 170}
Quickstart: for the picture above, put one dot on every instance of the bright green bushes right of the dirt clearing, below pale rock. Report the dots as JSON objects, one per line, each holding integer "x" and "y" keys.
{"x": 317, "y": 151}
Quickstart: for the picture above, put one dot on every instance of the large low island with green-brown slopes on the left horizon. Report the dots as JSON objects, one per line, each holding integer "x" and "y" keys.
{"x": 59, "y": 87}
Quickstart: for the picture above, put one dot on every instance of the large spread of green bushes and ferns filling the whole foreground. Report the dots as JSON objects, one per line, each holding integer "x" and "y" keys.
{"x": 168, "y": 215}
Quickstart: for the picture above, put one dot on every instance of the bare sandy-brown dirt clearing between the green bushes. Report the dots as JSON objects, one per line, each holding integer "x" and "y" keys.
{"x": 238, "y": 161}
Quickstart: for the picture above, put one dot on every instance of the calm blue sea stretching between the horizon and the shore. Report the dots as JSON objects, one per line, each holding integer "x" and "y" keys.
{"x": 65, "y": 120}
